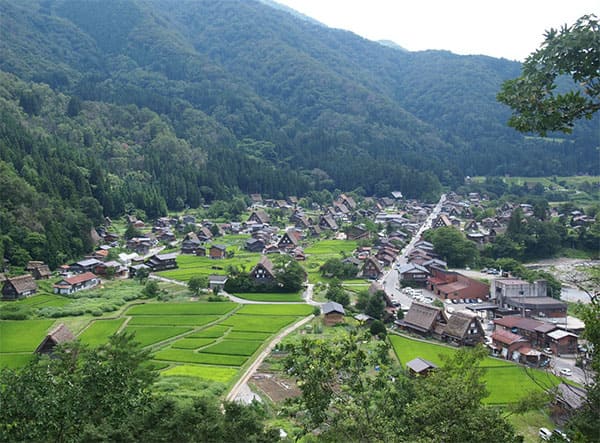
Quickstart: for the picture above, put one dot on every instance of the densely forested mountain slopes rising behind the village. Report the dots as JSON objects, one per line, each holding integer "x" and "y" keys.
{"x": 154, "y": 104}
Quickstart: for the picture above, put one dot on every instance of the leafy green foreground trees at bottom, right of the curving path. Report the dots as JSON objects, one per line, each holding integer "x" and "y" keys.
{"x": 354, "y": 394}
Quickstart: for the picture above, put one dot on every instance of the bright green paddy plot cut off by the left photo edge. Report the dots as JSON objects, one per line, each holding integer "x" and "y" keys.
{"x": 22, "y": 335}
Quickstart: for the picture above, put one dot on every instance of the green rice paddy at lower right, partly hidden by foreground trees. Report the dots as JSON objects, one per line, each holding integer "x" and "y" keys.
{"x": 506, "y": 382}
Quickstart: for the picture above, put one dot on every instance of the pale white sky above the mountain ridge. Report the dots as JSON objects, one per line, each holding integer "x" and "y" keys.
{"x": 510, "y": 29}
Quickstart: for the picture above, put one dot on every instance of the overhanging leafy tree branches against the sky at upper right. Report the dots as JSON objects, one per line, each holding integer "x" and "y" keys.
{"x": 539, "y": 104}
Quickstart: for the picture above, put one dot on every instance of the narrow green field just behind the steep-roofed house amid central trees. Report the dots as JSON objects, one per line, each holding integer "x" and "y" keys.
{"x": 191, "y": 265}
